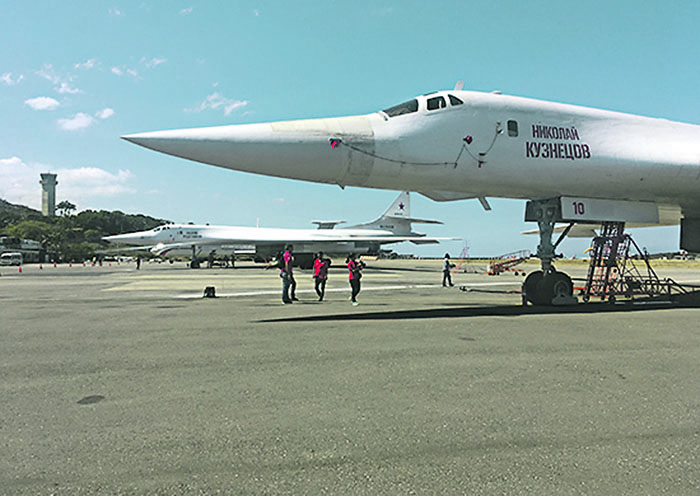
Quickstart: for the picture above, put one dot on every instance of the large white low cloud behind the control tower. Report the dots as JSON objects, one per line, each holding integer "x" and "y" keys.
{"x": 19, "y": 183}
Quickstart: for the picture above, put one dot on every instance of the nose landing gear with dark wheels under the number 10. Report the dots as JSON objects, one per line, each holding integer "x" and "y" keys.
{"x": 547, "y": 286}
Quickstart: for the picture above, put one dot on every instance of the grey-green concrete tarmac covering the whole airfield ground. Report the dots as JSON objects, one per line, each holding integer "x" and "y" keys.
{"x": 118, "y": 381}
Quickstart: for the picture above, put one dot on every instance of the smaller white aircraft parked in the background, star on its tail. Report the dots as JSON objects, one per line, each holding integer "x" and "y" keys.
{"x": 393, "y": 226}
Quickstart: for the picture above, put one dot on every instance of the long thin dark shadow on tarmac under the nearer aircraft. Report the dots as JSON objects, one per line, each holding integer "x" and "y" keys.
{"x": 496, "y": 311}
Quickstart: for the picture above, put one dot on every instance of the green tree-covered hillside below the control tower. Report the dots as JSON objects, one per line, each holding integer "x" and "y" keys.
{"x": 68, "y": 236}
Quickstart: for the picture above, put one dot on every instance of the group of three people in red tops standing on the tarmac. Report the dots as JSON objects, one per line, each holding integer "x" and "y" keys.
{"x": 321, "y": 266}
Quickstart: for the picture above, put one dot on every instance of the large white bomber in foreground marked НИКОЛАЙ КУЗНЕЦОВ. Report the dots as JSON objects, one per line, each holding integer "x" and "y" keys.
{"x": 573, "y": 164}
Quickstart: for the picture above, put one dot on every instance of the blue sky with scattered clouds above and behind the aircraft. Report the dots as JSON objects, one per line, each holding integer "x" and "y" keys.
{"x": 74, "y": 76}
